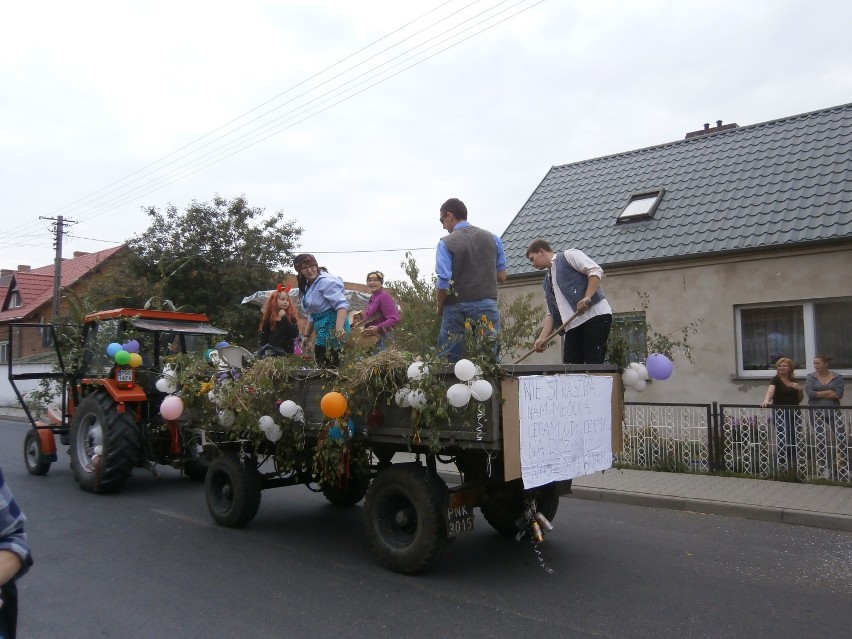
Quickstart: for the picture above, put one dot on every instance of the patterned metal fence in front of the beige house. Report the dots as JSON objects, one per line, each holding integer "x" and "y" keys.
{"x": 793, "y": 443}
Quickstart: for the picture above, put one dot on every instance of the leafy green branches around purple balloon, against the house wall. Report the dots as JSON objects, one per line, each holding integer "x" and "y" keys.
{"x": 624, "y": 336}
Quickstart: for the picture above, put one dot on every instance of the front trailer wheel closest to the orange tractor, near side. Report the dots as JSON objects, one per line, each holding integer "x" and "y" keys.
{"x": 233, "y": 492}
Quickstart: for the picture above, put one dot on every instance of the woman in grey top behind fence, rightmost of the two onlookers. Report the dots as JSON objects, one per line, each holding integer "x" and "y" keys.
{"x": 825, "y": 388}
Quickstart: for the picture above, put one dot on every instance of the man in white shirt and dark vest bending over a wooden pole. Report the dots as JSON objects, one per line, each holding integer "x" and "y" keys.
{"x": 572, "y": 285}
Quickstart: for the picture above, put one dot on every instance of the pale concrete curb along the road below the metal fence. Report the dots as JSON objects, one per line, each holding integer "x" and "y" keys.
{"x": 715, "y": 507}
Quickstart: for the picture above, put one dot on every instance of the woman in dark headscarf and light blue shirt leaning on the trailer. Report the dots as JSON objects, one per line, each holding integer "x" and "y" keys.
{"x": 324, "y": 302}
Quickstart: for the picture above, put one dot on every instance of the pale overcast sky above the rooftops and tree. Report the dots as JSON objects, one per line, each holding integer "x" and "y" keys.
{"x": 108, "y": 107}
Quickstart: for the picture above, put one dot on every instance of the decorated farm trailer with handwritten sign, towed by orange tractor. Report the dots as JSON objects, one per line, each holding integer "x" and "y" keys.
{"x": 539, "y": 427}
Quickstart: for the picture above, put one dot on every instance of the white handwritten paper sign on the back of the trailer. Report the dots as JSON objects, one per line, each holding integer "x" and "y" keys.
{"x": 566, "y": 426}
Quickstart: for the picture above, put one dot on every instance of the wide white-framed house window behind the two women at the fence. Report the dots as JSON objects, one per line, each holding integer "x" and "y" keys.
{"x": 799, "y": 331}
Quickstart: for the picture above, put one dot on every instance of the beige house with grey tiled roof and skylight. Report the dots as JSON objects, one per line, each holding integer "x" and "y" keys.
{"x": 746, "y": 228}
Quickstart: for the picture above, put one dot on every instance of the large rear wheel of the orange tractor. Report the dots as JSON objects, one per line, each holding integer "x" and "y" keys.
{"x": 97, "y": 422}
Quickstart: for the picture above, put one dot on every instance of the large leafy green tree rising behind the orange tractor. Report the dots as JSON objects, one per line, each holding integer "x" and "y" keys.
{"x": 209, "y": 257}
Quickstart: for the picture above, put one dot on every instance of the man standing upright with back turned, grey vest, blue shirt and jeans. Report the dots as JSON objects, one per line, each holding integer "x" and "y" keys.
{"x": 469, "y": 264}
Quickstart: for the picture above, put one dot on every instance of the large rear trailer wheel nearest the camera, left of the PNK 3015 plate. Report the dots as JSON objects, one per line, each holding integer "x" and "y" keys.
{"x": 404, "y": 514}
